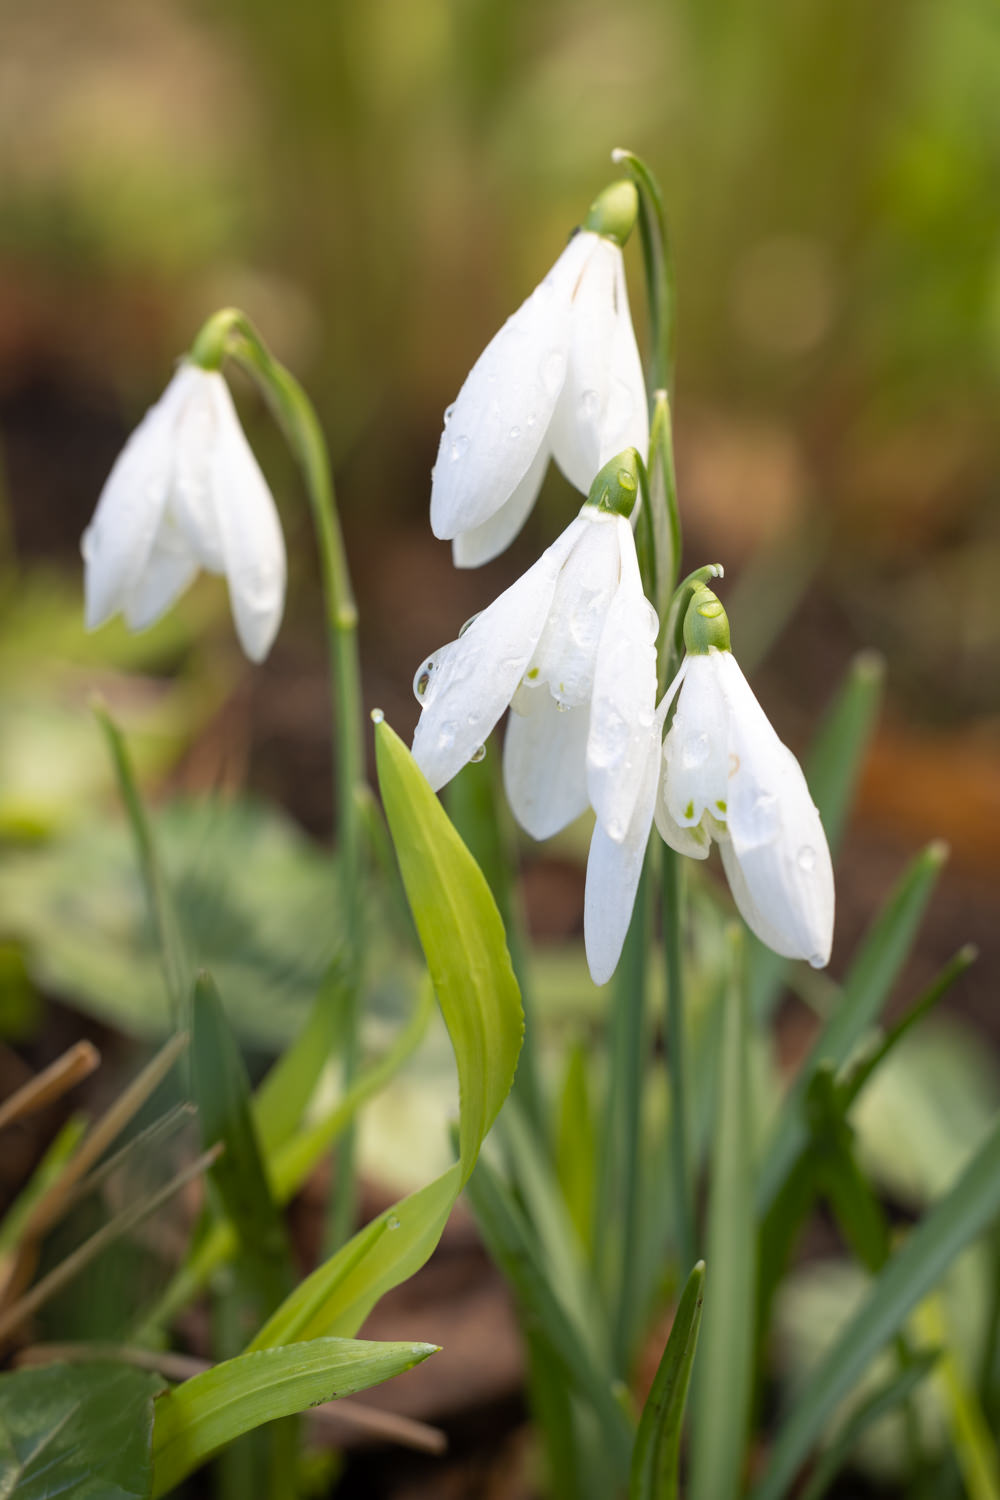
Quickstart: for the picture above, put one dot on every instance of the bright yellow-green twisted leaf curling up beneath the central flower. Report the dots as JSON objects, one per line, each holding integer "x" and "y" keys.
{"x": 463, "y": 937}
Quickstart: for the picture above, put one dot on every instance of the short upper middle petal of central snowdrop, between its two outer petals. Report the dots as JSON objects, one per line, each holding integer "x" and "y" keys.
{"x": 567, "y": 650}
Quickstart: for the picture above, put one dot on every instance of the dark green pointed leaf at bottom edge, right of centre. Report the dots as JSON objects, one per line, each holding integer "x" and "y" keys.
{"x": 657, "y": 1451}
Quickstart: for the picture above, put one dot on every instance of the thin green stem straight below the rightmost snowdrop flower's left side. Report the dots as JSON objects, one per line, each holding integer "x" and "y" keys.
{"x": 681, "y": 1177}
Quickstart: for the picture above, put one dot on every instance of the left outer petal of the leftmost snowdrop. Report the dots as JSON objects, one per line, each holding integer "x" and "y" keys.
{"x": 121, "y": 538}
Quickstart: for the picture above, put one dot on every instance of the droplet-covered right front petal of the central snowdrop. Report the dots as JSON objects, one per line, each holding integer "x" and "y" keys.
{"x": 624, "y": 695}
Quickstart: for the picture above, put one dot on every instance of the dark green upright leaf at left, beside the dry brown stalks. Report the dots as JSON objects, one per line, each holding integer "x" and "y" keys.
{"x": 226, "y": 1112}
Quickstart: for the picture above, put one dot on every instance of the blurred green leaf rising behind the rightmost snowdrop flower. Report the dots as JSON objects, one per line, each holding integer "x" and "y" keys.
{"x": 831, "y": 770}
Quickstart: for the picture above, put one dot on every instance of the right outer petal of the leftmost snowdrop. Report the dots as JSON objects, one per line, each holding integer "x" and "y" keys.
{"x": 250, "y": 533}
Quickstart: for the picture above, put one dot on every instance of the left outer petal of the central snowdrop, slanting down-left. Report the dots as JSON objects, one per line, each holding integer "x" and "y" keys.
{"x": 476, "y": 677}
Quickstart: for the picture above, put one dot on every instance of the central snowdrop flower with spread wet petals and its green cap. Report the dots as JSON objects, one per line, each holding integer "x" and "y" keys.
{"x": 572, "y": 649}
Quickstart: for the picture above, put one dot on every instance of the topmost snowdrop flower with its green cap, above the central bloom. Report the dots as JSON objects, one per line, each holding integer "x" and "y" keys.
{"x": 560, "y": 380}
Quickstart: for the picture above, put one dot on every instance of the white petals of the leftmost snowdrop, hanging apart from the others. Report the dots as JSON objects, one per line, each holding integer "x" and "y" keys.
{"x": 187, "y": 494}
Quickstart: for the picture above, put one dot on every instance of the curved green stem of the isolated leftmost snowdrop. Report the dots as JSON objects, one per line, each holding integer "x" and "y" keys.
{"x": 232, "y": 334}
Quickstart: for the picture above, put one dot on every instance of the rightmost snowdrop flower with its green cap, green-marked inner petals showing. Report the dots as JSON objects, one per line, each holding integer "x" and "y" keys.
{"x": 726, "y": 776}
